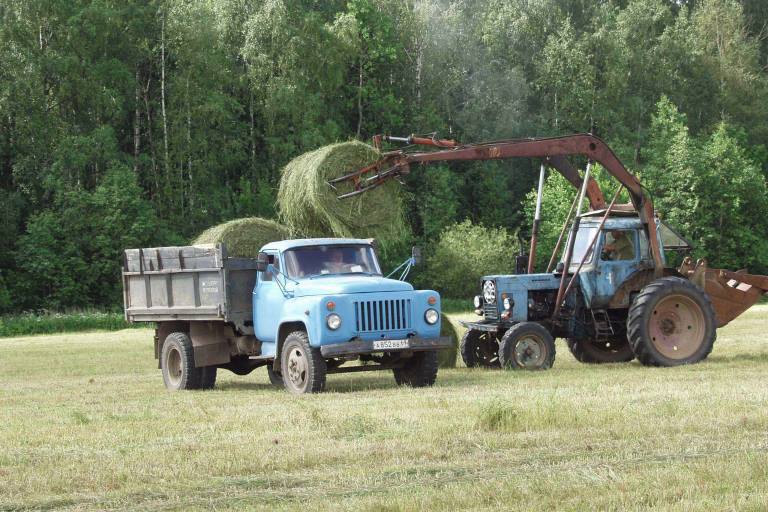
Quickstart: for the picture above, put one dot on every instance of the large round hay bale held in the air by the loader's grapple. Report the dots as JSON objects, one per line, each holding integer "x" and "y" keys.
{"x": 310, "y": 207}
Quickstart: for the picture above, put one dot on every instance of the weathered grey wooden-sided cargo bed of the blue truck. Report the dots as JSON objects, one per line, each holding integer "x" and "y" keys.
{"x": 188, "y": 283}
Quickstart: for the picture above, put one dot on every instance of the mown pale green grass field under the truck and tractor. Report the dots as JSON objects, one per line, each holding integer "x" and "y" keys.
{"x": 86, "y": 424}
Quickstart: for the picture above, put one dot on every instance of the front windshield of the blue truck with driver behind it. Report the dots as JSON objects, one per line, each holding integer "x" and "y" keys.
{"x": 331, "y": 259}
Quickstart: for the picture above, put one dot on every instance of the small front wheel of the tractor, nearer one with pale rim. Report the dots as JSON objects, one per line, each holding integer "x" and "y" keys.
{"x": 527, "y": 346}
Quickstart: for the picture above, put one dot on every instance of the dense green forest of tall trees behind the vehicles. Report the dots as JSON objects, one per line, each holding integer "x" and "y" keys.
{"x": 137, "y": 123}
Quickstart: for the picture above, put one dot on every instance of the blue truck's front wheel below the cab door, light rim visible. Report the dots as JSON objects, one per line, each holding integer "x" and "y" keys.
{"x": 302, "y": 367}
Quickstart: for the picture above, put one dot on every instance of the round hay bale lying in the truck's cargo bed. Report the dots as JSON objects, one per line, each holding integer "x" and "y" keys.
{"x": 243, "y": 237}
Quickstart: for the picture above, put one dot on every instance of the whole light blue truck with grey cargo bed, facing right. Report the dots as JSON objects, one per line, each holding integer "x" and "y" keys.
{"x": 302, "y": 308}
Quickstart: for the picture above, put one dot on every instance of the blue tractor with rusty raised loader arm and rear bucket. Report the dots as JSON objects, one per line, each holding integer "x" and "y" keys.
{"x": 612, "y": 295}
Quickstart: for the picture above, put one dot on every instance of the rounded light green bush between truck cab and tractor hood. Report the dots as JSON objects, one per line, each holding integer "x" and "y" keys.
{"x": 463, "y": 254}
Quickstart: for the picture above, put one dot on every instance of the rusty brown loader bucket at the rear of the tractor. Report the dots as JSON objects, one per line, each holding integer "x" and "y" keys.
{"x": 731, "y": 293}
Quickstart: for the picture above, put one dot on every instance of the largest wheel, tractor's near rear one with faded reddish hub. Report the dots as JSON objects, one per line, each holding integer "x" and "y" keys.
{"x": 671, "y": 323}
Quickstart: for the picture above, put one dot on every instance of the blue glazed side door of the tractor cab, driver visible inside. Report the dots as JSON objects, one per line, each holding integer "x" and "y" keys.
{"x": 618, "y": 259}
